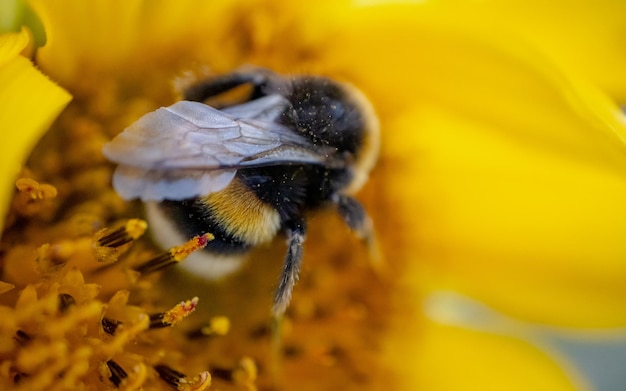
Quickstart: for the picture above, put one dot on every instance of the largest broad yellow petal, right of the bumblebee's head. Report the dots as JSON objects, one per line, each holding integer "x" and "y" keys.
{"x": 506, "y": 176}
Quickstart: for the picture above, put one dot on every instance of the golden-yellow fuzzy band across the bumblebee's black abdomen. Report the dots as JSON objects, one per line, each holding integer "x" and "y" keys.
{"x": 241, "y": 213}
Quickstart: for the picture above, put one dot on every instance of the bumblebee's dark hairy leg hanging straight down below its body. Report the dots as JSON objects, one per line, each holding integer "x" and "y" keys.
{"x": 291, "y": 267}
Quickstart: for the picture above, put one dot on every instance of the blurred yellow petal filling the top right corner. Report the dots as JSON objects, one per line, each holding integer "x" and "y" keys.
{"x": 585, "y": 36}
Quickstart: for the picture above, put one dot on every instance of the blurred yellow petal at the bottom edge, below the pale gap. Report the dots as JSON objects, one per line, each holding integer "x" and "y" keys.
{"x": 439, "y": 357}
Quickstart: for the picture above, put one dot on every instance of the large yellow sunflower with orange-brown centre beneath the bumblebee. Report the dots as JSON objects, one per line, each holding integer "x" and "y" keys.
{"x": 498, "y": 200}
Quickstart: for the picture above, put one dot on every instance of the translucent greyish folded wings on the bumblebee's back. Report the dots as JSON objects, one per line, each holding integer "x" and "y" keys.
{"x": 191, "y": 149}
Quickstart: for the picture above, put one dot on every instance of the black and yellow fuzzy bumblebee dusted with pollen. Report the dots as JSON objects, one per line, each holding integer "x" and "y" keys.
{"x": 252, "y": 169}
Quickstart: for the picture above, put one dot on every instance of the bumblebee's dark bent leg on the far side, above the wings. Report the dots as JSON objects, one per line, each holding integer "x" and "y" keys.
{"x": 204, "y": 90}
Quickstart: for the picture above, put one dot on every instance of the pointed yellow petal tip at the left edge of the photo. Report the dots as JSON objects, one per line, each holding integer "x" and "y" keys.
{"x": 29, "y": 102}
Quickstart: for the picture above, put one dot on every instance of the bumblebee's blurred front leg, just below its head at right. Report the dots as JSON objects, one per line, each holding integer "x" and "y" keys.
{"x": 355, "y": 217}
